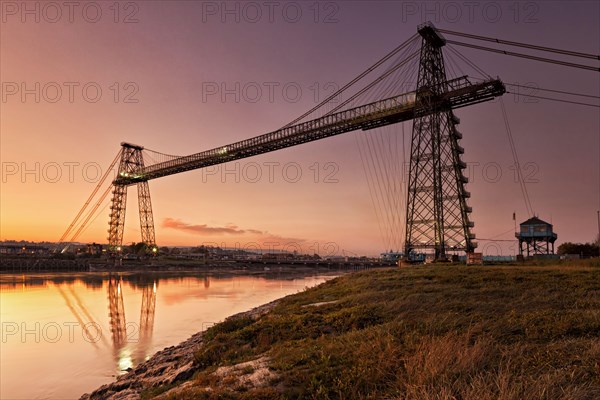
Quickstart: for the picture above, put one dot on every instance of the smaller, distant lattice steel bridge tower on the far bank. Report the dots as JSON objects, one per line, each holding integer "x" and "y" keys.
{"x": 132, "y": 161}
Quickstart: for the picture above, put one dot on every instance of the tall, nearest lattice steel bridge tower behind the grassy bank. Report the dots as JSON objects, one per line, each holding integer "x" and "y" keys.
{"x": 437, "y": 215}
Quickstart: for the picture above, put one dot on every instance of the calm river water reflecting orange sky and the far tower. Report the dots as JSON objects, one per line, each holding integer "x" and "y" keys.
{"x": 66, "y": 334}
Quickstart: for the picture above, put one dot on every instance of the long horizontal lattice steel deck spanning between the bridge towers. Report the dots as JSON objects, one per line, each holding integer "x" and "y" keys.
{"x": 460, "y": 92}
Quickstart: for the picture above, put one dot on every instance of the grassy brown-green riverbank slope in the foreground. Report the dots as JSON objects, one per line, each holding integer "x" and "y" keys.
{"x": 432, "y": 332}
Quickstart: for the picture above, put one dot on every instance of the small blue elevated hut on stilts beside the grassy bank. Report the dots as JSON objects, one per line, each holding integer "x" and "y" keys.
{"x": 536, "y": 236}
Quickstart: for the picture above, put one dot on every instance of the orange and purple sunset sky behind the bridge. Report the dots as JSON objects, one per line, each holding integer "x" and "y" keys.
{"x": 180, "y": 77}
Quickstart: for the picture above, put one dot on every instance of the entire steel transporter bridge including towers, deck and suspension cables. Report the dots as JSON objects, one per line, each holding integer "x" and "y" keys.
{"x": 437, "y": 215}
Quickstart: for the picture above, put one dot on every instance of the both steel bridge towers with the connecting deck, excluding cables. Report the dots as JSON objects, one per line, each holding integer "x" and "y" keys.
{"x": 437, "y": 214}
